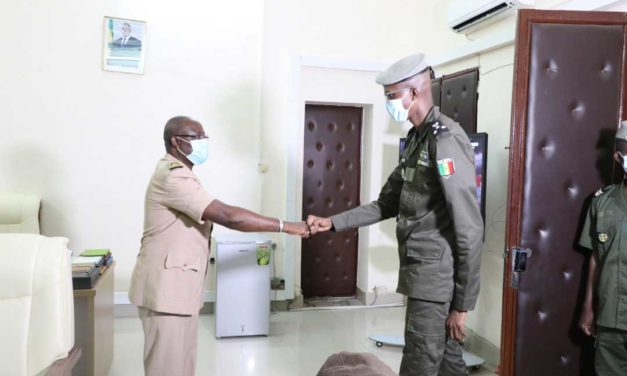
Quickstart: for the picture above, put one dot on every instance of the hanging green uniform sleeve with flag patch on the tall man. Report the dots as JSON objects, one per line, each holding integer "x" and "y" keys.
{"x": 456, "y": 170}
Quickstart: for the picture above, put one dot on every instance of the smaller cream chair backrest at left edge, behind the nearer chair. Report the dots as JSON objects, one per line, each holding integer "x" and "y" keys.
{"x": 19, "y": 213}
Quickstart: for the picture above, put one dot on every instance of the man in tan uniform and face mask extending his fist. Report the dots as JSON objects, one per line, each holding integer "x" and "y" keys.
{"x": 170, "y": 274}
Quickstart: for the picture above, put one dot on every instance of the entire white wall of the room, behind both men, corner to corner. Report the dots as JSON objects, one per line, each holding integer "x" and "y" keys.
{"x": 87, "y": 140}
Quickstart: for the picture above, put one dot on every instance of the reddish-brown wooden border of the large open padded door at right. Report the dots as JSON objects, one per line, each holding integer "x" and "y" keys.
{"x": 517, "y": 152}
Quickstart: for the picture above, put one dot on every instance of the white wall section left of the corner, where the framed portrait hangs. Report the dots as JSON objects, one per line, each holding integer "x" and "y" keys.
{"x": 87, "y": 140}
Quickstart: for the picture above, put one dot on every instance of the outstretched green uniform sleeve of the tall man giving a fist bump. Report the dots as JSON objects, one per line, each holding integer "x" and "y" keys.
{"x": 386, "y": 206}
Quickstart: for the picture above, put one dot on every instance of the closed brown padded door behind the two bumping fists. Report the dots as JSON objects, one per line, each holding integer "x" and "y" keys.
{"x": 331, "y": 177}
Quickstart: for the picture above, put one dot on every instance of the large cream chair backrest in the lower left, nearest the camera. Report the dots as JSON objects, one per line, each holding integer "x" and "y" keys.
{"x": 36, "y": 302}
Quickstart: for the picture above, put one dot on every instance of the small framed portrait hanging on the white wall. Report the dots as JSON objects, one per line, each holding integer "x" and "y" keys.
{"x": 124, "y": 45}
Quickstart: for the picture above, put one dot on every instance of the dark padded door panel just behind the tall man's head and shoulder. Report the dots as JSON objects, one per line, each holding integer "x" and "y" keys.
{"x": 458, "y": 98}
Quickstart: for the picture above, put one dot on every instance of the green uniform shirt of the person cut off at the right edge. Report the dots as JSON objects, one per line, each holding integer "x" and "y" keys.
{"x": 605, "y": 232}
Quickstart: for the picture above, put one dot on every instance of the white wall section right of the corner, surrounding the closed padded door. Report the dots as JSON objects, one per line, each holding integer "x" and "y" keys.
{"x": 372, "y": 34}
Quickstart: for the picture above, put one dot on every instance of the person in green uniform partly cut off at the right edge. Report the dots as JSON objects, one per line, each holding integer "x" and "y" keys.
{"x": 605, "y": 233}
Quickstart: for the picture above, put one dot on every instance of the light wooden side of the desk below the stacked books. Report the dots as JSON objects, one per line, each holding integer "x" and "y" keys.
{"x": 93, "y": 326}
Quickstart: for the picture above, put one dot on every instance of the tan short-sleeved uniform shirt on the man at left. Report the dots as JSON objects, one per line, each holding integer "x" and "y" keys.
{"x": 171, "y": 269}
